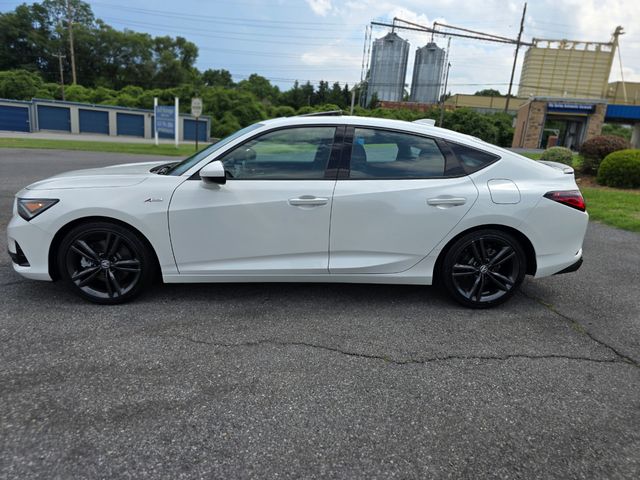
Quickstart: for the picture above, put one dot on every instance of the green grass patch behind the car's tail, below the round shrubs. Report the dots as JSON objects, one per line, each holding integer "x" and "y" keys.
{"x": 618, "y": 208}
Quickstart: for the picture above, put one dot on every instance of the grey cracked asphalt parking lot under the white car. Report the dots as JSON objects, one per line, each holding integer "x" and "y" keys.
{"x": 319, "y": 381}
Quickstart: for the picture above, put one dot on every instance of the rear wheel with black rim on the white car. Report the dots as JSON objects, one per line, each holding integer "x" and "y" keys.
{"x": 483, "y": 268}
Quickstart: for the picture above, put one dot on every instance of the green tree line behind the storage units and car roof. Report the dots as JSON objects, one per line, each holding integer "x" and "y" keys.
{"x": 129, "y": 69}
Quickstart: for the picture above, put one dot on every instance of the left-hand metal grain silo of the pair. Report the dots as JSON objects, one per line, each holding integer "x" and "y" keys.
{"x": 388, "y": 68}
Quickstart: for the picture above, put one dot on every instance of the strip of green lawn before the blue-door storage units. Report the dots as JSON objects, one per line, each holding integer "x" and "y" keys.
{"x": 113, "y": 147}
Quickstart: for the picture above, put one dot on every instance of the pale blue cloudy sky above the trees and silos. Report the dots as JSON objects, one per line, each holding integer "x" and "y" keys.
{"x": 288, "y": 40}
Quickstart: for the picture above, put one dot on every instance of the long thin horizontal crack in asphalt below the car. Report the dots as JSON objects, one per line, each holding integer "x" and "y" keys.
{"x": 410, "y": 361}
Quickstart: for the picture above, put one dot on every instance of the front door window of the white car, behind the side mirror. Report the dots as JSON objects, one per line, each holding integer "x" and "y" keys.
{"x": 300, "y": 153}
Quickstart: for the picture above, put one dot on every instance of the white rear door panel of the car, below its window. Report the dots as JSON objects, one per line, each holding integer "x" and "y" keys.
{"x": 387, "y": 226}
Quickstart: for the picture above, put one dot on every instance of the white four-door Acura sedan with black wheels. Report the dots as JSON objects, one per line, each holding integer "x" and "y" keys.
{"x": 308, "y": 199}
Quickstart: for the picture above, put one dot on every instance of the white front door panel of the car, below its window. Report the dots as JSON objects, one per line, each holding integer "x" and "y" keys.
{"x": 251, "y": 226}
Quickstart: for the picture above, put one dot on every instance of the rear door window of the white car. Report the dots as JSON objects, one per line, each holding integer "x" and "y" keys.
{"x": 386, "y": 154}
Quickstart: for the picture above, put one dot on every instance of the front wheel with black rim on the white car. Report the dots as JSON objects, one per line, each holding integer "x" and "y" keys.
{"x": 105, "y": 263}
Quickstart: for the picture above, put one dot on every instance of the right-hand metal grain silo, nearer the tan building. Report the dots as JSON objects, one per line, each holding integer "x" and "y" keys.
{"x": 427, "y": 74}
